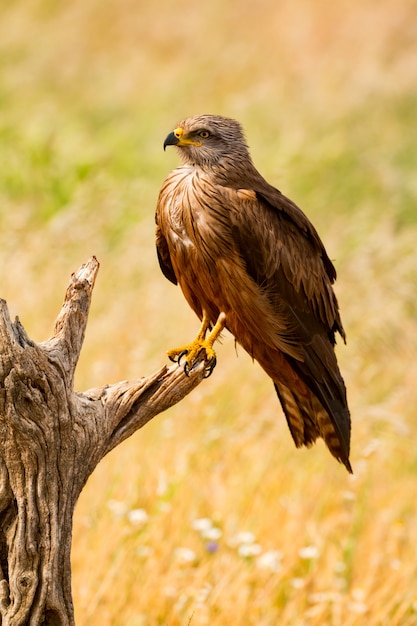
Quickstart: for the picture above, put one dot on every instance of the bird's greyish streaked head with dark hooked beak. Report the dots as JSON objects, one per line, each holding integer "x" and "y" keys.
{"x": 205, "y": 140}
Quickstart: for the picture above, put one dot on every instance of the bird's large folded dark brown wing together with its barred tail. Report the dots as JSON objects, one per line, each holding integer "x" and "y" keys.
{"x": 284, "y": 255}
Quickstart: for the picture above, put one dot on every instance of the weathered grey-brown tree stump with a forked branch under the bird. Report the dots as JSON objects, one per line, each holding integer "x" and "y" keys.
{"x": 51, "y": 439}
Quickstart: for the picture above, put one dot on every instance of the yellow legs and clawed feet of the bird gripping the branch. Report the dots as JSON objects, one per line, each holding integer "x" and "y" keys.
{"x": 201, "y": 344}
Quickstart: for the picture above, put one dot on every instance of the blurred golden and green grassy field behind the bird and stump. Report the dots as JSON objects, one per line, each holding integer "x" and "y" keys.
{"x": 209, "y": 515}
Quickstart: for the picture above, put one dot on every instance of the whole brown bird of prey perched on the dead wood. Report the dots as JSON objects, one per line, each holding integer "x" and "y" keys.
{"x": 248, "y": 259}
